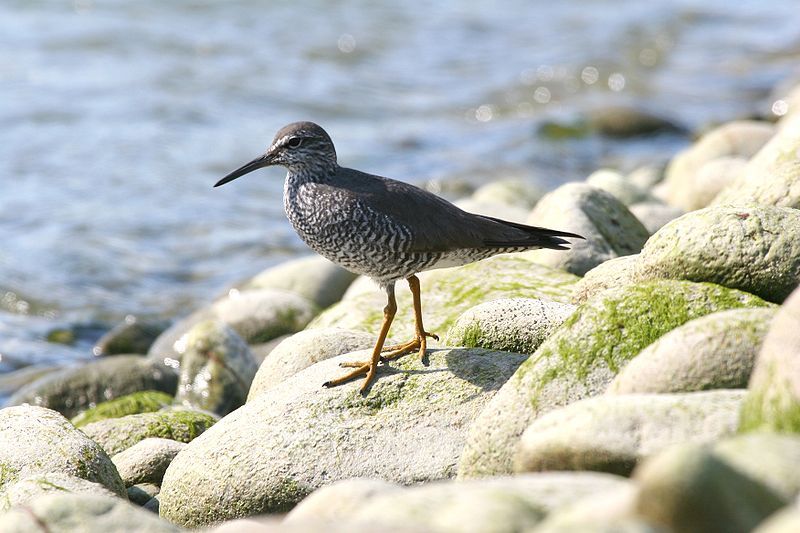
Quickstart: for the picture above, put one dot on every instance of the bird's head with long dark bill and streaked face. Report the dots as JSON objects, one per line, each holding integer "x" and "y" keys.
{"x": 300, "y": 147}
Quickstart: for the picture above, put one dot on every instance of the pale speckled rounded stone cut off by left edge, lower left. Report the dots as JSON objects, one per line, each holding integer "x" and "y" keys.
{"x": 35, "y": 440}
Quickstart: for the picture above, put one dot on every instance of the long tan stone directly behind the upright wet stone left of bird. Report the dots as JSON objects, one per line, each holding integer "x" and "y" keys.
{"x": 256, "y": 315}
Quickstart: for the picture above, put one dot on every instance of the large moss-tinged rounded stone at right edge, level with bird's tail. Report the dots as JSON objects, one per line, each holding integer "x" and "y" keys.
{"x": 754, "y": 249}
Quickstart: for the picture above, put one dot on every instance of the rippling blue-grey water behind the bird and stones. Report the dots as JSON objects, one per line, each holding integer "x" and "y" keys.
{"x": 116, "y": 117}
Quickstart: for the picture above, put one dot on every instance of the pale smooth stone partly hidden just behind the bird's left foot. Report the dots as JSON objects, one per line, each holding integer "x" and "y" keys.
{"x": 302, "y": 350}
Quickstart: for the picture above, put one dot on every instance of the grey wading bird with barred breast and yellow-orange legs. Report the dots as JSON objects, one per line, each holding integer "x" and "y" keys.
{"x": 381, "y": 228}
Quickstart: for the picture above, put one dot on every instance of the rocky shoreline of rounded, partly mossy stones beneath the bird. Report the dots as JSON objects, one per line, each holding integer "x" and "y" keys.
{"x": 646, "y": 380}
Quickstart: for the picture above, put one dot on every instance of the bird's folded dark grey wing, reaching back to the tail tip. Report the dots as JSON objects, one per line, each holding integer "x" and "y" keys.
{"x": 436, "y": 224}
